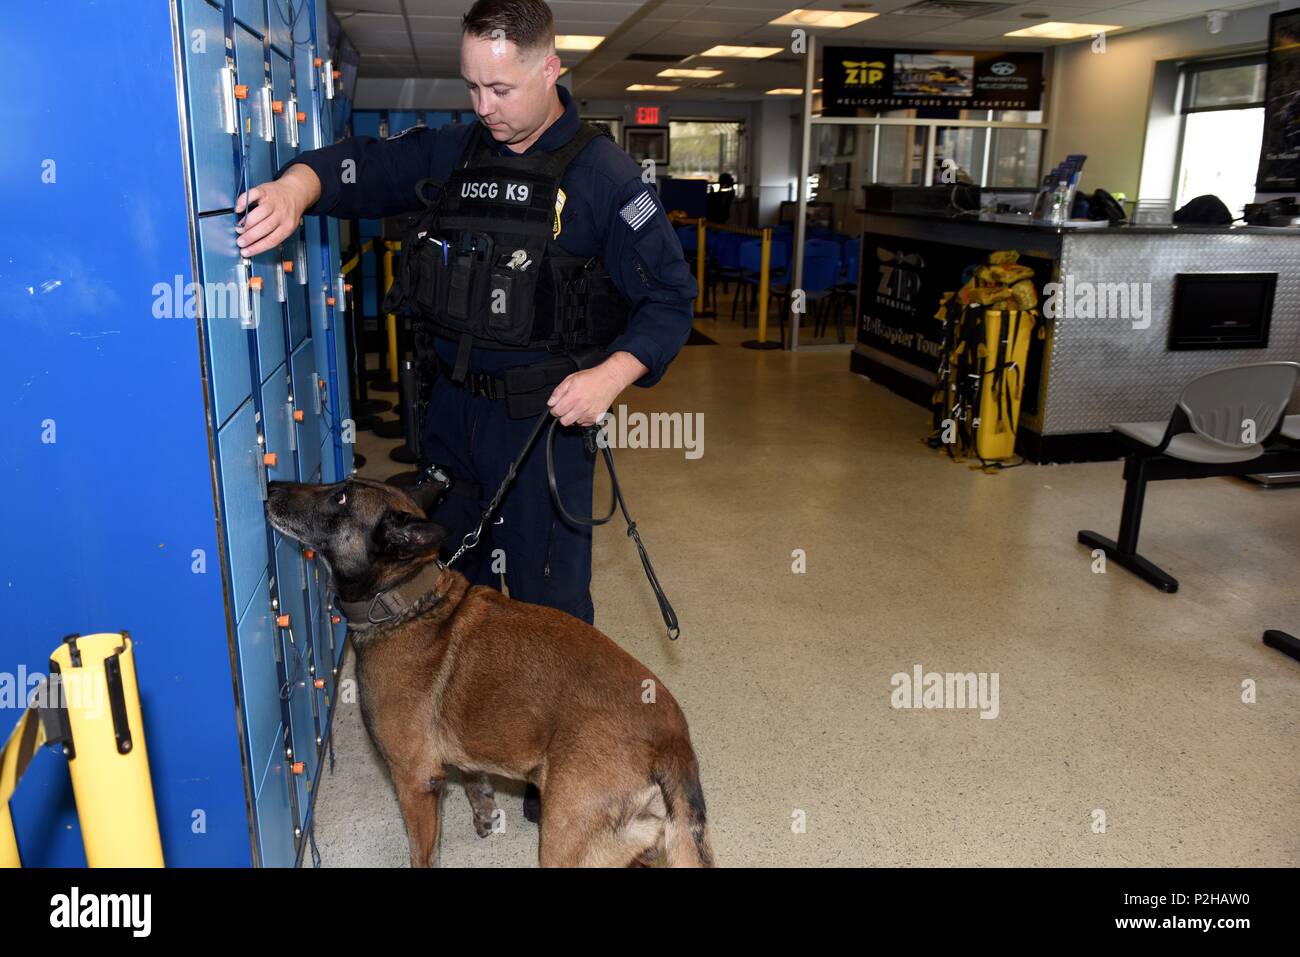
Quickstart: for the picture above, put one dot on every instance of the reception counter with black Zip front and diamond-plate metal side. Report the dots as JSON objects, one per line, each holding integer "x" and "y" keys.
{"x": 1130, "y": 327}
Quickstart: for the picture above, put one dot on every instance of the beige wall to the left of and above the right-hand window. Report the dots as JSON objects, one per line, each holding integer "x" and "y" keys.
{"x": 1099, "y": 102}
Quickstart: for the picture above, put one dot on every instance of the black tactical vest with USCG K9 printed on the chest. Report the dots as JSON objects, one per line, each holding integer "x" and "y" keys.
{"x": 482, "y": 263}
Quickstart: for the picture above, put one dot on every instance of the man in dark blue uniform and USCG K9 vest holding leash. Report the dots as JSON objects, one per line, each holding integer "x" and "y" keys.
{"x": 605, "y": 216}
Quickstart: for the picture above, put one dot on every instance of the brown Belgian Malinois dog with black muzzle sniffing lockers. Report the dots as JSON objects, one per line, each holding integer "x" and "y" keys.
{"x": 458, "y": 675}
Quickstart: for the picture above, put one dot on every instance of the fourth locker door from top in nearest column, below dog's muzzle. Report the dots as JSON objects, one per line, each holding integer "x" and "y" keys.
{"x": 259, "y": 681}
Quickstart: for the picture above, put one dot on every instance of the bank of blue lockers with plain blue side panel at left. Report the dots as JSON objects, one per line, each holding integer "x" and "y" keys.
{"x": 154, "y": 383}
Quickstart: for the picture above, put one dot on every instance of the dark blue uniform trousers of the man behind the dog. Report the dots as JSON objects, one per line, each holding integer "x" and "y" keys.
{"x": 545, "y": 561}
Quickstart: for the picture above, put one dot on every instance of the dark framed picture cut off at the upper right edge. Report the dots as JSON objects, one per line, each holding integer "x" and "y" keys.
{"x": 1280, "y": 167}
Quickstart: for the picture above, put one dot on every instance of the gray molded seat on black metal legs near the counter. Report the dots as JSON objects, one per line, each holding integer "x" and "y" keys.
{"x": 1206, "y": 436}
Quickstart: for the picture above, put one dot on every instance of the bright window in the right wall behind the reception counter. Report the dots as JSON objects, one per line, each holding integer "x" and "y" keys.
{"x": 1223, "y": 127}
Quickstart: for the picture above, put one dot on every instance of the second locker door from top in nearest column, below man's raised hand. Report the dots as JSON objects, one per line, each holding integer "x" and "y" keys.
{"x": 227, "y": 311}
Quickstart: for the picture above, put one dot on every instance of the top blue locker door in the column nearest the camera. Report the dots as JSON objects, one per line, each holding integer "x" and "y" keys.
{"x": 211, "y": 133}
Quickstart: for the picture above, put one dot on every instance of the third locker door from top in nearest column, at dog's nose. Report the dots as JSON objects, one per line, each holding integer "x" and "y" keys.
{"x": 242, "y": 512}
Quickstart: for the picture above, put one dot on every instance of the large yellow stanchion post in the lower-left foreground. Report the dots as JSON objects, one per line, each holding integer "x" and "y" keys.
{"x": 93, "y": 683}
